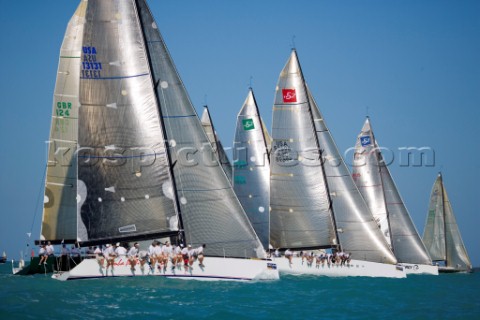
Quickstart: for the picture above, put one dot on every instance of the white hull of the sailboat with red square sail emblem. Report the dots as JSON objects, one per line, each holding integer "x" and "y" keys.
{"x": 356, "y": 268}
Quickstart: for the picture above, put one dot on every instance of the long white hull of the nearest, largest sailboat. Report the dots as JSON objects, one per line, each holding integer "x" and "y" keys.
{"x": 213, "y": 269}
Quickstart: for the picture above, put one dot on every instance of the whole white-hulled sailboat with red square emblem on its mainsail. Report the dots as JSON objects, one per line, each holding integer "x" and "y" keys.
{"x": 314, "y": 202}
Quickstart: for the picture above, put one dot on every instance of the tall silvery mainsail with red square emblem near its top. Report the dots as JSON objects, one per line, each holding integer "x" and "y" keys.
{"x": 300, "y": 206}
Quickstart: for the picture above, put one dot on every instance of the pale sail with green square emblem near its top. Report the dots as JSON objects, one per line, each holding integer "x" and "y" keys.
{"x": 251, "y": 169}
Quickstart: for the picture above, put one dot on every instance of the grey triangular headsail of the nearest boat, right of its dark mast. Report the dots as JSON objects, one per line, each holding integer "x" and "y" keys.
{"x": 210, "y": 211}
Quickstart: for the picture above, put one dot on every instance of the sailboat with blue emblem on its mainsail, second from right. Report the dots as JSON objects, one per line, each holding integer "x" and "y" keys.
{"x": 376, "y": 185}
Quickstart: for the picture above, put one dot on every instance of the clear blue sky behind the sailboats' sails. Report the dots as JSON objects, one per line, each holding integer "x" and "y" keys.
{"x": 412, "y": 65}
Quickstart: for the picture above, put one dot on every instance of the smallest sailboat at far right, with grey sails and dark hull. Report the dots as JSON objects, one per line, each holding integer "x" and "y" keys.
{"x": 442, "y": 236}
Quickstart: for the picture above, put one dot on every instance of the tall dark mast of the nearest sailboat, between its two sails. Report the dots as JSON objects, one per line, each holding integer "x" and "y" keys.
{"x": 181, "y": 231}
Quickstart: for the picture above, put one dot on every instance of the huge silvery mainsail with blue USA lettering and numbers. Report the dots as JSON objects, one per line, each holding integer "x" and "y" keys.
{"x": 124, "y": 182}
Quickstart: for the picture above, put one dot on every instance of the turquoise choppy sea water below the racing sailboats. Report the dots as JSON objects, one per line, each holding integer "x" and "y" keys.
{"x": 449, "y": 296}
